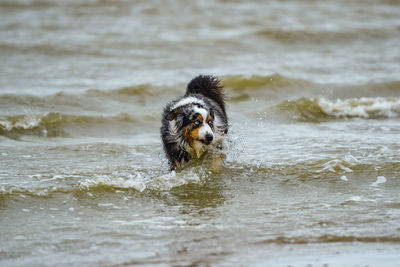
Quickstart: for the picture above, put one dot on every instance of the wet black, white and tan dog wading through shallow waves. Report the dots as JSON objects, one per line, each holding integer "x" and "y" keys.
{"x": 195, "y": 123}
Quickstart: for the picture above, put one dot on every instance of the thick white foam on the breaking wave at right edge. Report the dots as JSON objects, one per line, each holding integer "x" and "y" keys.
{"x": 365, "y": 107}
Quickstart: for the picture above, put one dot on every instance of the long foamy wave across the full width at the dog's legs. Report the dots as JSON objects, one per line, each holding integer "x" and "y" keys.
{"x": 338, "y": 171}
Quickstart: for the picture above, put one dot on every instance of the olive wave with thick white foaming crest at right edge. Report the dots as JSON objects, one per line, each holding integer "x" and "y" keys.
{"x": 321, "y": 109}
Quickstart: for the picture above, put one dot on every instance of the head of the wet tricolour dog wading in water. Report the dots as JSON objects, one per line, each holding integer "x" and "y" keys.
{"x": 195, "y": 124}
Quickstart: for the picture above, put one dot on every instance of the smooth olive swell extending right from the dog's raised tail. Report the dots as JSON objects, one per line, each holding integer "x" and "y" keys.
{"x": 277, "y": 87}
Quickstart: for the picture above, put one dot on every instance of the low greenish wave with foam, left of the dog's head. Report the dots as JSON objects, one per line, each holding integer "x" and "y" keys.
{"x": 56, "y": 124}
